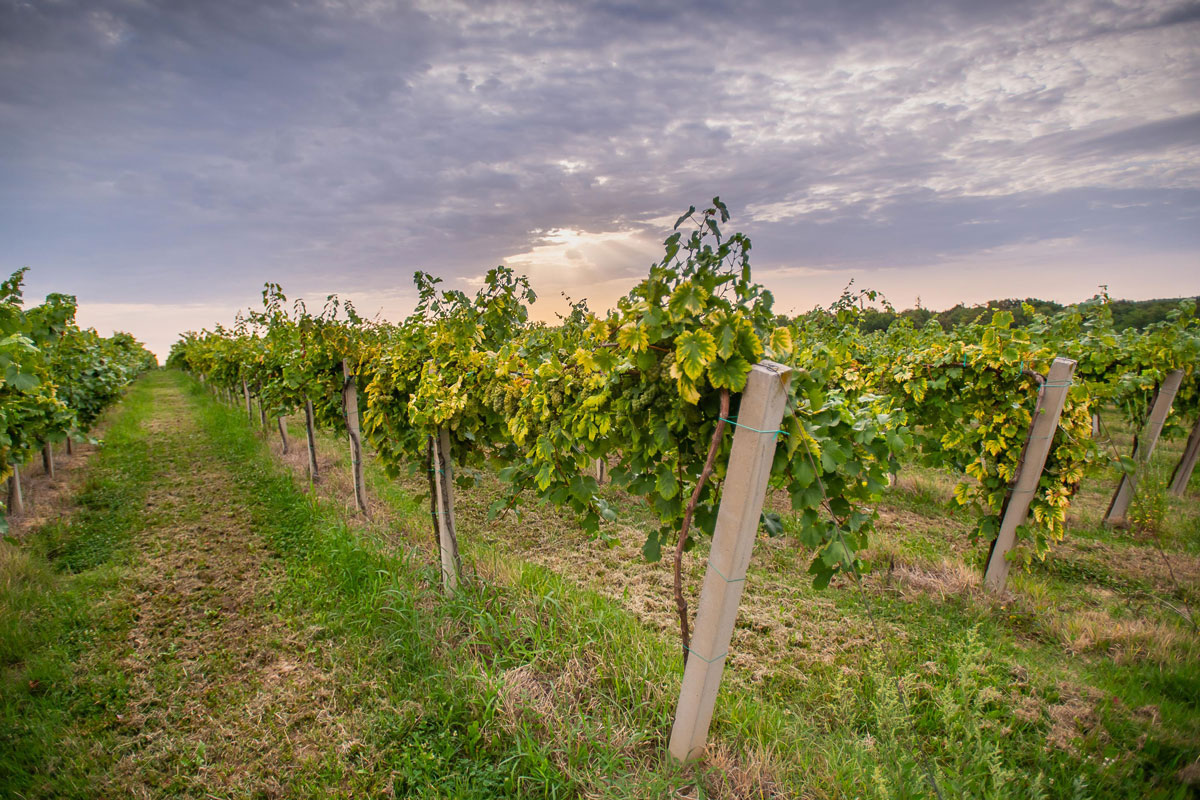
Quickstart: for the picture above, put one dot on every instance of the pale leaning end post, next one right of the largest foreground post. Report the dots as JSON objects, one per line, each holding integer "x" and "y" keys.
{"x": 1052, "y": 398}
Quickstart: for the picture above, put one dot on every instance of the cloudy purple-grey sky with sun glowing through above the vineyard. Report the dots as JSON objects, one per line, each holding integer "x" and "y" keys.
{"x": 163, "y": 160}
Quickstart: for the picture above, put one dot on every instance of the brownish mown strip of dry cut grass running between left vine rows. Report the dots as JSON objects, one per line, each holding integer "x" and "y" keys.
{"x": 224, "y": 696}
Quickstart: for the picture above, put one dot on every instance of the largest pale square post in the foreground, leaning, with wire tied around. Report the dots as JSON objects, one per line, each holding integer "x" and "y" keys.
{"x": 737, "y": 525}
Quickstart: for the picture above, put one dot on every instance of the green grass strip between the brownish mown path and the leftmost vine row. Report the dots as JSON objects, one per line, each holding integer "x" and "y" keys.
{"x": 63, "y": 624}
